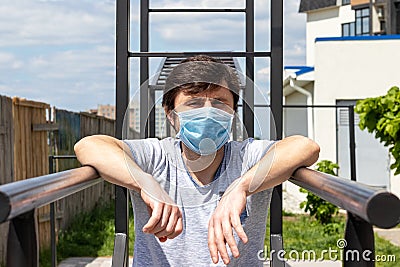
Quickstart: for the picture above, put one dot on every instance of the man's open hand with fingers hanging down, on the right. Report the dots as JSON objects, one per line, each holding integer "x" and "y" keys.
{"x": 225, "y": 217}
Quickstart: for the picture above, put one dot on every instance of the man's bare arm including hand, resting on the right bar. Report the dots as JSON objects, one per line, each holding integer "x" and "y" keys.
{"x": 275, "y": 167}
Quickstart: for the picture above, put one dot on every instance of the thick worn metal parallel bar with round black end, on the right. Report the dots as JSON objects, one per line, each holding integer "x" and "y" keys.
{"x": 376, "y": 206}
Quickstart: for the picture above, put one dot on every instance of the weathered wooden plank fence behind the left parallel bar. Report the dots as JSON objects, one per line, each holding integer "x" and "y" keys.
{"x": 25, "y": 143}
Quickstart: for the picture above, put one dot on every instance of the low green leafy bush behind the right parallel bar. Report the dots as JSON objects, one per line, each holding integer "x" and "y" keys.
{"x": 322, "y": 210}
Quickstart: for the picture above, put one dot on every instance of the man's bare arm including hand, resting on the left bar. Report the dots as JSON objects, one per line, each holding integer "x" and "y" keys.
{"x": 114, "y": 162}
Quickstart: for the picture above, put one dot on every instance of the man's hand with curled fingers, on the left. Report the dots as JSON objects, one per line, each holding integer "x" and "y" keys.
{"x": 165, "y": 217}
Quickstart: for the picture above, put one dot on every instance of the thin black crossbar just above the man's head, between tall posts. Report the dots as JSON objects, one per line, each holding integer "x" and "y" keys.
{"x": 188, "y": 54}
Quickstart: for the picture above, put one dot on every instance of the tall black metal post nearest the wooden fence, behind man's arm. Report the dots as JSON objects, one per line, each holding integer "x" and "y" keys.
{"x": 122, "y": 101}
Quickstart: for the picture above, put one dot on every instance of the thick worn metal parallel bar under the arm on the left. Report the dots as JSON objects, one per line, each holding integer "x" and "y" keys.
{"x": 19, "y": 197}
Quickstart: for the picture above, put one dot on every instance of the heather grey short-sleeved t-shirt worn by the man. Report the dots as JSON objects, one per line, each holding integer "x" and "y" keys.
{"x": 164, "y": 161}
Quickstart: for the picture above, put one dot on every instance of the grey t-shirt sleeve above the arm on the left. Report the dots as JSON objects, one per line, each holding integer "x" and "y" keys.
{"x": 146, "y": 153}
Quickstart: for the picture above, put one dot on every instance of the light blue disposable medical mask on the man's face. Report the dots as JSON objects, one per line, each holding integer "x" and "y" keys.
{"x": 204, "y": 130}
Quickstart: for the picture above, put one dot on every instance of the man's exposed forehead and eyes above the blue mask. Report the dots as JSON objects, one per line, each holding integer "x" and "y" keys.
{"x": 220, "y": 98}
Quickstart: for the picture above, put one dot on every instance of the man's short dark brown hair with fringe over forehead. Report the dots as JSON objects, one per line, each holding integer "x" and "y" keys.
{"x": 198, "y": 74}
